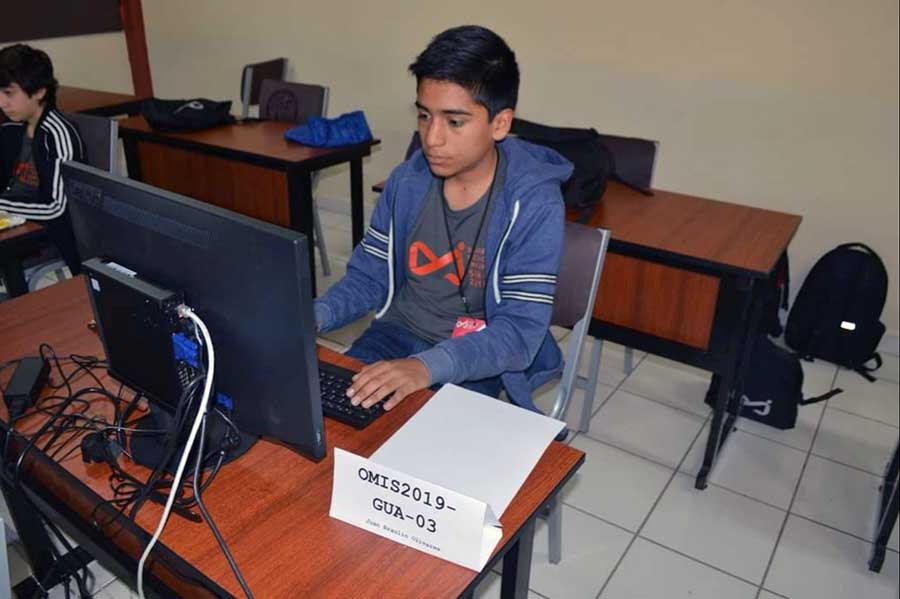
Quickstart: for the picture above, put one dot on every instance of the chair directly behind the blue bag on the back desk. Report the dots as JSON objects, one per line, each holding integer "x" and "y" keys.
{"x": 295, "y": 103}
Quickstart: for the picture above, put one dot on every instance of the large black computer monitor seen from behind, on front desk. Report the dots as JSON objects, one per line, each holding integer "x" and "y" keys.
{"x": 248, "y": 280}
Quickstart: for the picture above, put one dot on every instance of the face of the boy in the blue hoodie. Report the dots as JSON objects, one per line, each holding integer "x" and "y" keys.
{"x": 457, "y": 136}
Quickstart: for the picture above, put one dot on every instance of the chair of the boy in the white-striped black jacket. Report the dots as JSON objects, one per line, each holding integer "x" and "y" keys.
{"x": 99, "y": 138}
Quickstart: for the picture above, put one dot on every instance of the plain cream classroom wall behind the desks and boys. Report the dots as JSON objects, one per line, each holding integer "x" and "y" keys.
{"x": 785, "y": 105}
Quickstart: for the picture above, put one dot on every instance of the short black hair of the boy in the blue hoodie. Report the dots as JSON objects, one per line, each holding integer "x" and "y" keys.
{"x": 475, "y": 58}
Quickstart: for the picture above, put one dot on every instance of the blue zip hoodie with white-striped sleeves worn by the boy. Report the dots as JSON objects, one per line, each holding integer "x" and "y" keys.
{"x": 523, "y": 246}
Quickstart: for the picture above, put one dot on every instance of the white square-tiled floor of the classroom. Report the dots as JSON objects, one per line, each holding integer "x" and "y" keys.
{"x": 787, "y": 513}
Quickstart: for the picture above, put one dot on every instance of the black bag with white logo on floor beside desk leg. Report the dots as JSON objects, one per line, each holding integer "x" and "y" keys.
{"x": 773, "y": 386}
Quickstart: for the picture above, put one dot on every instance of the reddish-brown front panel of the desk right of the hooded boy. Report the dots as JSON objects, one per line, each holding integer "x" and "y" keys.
{"x": 663, "y": 301}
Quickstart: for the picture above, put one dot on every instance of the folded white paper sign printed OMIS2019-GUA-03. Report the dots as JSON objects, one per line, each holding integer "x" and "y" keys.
{"x": 413, "y": 512}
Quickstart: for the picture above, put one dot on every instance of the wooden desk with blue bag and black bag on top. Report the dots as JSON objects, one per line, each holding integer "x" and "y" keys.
{"x": 248, "y": 167}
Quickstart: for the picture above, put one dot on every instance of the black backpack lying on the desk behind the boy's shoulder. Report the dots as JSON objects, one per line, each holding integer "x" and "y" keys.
{"x": 594, "y": 162}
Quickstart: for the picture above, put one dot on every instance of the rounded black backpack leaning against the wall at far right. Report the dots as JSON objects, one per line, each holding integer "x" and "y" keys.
{"x": 836, "y": 315}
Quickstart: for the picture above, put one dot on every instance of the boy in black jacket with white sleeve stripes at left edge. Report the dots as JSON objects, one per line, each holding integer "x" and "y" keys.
{"x": 34, "y": 141}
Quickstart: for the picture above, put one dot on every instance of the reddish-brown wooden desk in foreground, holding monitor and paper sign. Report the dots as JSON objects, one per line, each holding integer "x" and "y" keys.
{"x": 271, "y": 505}
